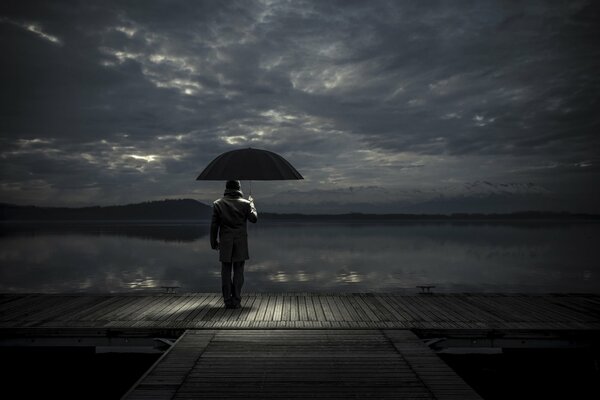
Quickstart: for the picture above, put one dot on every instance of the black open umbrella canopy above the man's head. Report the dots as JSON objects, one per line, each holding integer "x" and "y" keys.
{"x": 249, "y": 164}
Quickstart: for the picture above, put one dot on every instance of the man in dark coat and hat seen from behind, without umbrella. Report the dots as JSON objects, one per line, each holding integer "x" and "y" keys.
{"x": 229, "y": 220}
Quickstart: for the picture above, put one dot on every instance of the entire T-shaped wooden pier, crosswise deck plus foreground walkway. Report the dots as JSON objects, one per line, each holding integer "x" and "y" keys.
{"x": 295, "y": 345}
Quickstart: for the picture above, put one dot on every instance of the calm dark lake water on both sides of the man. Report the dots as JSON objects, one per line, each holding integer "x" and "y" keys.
{"x": 392, "y": 257}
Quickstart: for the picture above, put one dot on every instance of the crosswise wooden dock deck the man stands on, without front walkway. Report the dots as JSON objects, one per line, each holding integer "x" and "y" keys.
{"x": 301, "y": 311}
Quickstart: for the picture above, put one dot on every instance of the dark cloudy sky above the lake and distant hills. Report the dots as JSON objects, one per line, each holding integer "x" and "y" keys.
{"x": 374, "y": 102}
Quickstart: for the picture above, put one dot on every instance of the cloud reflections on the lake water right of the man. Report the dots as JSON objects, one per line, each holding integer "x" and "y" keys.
{"x": 401, "y": 256}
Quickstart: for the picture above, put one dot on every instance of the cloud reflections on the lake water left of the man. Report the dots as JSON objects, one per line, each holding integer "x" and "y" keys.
{"x": 107, "y": 263}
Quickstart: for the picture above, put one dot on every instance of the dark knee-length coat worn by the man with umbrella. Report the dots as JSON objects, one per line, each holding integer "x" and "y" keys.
{"x": 229, "y": 221}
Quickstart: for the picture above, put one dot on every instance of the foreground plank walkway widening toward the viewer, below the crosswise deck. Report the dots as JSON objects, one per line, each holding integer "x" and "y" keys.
{"x": 288, "y": 364}
